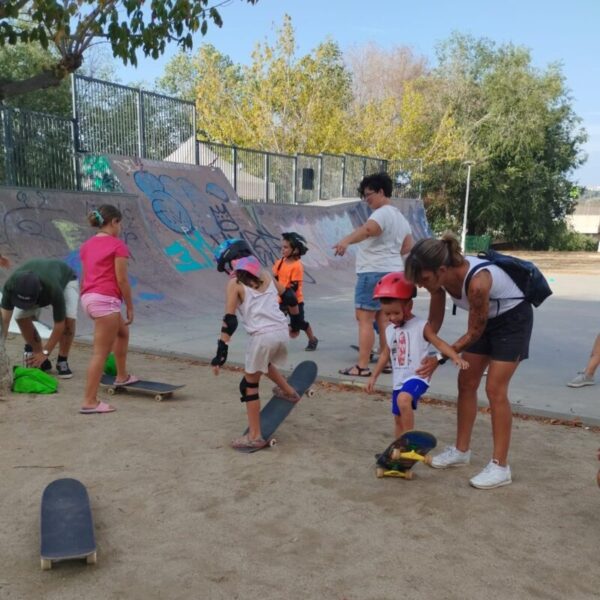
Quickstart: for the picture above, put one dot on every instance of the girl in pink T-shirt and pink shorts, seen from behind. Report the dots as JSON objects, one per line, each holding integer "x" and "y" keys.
{"x": 105, "y": 286}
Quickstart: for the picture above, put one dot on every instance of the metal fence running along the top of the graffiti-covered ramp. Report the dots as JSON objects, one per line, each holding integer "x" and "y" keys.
{"x": 44, "y": 151}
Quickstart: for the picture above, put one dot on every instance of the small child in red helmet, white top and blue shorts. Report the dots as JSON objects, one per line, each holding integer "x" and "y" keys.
{"x": 408, "y": 340}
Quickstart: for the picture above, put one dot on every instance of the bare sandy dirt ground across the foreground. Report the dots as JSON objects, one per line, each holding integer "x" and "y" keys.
{"x": 179, "y": 515}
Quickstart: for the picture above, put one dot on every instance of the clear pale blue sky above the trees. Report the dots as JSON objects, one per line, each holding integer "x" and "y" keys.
{"x": 554, "y": 31}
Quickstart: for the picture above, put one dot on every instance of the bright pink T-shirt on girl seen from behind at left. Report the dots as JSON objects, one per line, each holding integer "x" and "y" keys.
{"x": 98, "y": 260}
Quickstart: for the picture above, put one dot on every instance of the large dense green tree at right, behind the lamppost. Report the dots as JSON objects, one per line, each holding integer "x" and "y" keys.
{"x": 519, "y": 126}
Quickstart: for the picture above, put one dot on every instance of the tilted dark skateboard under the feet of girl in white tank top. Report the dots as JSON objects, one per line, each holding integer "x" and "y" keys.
{"x": 277, "y": 409}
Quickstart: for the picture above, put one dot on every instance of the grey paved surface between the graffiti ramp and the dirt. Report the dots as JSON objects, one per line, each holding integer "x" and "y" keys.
{"x": 564, "y": 330}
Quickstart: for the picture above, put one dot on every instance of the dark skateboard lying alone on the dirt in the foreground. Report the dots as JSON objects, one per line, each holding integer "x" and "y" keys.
{"x": 67, "y": 528}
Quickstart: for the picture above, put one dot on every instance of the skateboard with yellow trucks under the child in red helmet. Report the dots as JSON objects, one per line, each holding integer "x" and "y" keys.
{"x": 400, "y": 456}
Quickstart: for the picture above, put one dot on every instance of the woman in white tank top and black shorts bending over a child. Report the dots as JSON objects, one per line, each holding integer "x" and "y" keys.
{"x": 497, "y": 337}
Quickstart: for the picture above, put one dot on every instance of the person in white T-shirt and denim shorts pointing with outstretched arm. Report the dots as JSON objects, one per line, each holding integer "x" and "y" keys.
{"x": 382, "y": 241}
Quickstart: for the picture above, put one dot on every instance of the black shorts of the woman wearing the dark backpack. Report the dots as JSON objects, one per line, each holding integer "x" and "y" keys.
{"x": 506, "y": 337}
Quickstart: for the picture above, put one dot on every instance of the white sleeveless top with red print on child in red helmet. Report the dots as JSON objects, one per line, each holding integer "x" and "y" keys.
{"x": 408, "y": 348}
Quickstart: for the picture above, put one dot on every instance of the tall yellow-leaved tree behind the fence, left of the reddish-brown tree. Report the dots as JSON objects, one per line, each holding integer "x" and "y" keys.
{"x": 280, "y": 102}
